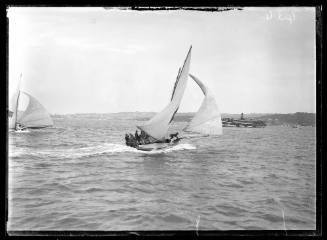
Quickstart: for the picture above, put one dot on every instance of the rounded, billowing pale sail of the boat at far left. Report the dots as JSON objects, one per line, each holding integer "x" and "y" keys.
{"x": 35, "y": 115}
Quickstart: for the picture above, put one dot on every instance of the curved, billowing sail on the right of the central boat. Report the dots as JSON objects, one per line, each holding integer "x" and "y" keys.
{"x": 207, "y": 120}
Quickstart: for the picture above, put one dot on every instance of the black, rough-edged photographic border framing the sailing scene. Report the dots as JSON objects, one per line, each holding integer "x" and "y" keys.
{"x": 320, "y": 66}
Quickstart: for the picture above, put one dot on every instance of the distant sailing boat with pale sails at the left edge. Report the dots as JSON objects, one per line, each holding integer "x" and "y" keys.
{"x": 34, "y": 116}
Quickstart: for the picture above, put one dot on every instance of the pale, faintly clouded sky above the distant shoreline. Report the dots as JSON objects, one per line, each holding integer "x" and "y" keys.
{"x": 96, "y": 60}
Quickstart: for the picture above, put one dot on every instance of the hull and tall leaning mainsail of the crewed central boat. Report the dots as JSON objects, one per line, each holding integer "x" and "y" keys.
{"x": 156, "y": 129}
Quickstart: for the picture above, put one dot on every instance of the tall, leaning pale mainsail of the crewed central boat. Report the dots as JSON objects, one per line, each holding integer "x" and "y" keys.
{"x": 157, "y": 127}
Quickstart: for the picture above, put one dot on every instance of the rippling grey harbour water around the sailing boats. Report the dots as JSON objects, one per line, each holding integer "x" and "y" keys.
{"x": 79, "y": 175}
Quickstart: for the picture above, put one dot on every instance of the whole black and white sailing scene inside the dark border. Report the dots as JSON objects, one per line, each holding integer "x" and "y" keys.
{"x": 171, "y": 119}
